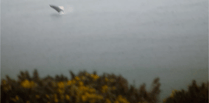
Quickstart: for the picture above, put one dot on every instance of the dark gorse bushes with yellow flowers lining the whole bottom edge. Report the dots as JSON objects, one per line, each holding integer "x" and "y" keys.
{"x": 90, "y": 88}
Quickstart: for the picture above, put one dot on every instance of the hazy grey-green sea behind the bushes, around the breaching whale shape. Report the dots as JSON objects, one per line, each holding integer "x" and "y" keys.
{"x": 139, "y": 39}
